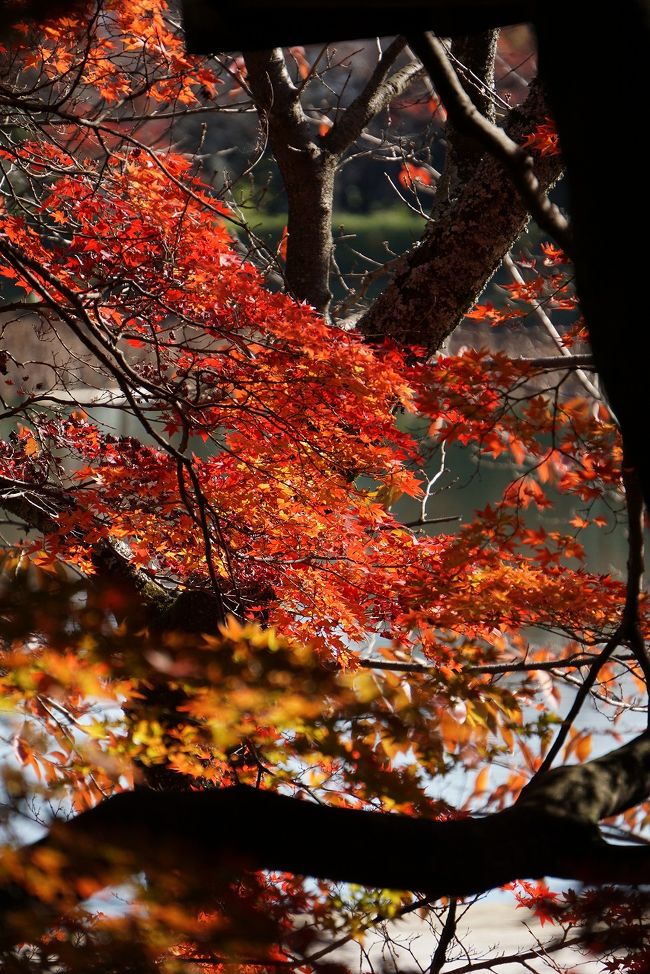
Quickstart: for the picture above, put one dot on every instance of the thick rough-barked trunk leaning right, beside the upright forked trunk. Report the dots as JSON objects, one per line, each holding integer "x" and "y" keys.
{"x": 442, "y": 276}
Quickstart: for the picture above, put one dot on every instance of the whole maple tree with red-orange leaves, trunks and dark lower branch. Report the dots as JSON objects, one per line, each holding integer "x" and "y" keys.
{"x": 242, "y": 681}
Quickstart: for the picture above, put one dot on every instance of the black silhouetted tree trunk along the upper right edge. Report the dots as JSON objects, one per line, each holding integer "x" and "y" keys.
{"x": 601, "y": 120}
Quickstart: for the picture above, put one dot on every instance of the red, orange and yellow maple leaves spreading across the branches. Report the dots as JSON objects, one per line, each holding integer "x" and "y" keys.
{"x": 337, "y": 648}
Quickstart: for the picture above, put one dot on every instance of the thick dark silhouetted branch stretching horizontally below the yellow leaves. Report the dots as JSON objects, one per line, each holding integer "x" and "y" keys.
{"x": 212, "y": 836}
